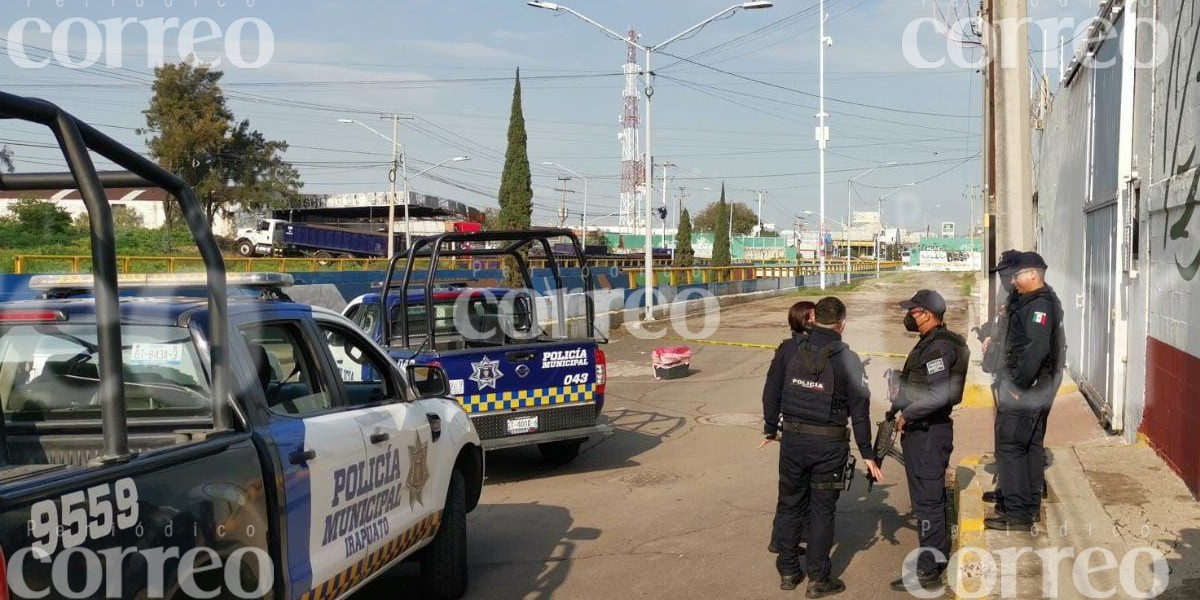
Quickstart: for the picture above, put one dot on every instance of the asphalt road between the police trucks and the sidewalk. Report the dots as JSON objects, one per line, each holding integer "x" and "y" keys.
{"x": 679, "y": 503}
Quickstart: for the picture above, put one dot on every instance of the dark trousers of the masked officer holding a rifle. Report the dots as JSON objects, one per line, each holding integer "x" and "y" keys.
{"x": 927, "y": 454}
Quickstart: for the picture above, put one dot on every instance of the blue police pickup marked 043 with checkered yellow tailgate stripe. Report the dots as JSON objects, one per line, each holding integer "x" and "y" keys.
{"x": 524, "y": 380}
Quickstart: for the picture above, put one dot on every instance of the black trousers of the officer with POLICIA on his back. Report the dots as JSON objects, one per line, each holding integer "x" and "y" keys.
{"x": 807, "y": 460}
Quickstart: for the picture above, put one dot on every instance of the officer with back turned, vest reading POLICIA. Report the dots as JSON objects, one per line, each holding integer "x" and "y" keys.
{"x": 817, "y": 385}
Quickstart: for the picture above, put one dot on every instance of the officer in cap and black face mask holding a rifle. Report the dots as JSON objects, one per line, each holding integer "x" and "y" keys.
{"x": 932, "y": 385}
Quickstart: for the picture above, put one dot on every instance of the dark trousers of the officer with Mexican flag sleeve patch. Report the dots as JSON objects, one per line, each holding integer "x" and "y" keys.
{"x": 1021, "y": 455}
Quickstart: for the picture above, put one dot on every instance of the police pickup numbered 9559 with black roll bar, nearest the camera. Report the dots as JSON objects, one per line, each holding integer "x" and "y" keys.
{"x": 155, "y": 445}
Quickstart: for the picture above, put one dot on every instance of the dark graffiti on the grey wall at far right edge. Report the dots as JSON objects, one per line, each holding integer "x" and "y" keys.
{"x": 1184, "y": 93}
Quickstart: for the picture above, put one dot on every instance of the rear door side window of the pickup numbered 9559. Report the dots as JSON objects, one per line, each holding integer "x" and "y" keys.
{"x": 286, "y": 371}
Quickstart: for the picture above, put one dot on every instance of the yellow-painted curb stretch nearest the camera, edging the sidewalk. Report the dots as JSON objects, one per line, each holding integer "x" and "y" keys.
{"x": 969, "y": 533}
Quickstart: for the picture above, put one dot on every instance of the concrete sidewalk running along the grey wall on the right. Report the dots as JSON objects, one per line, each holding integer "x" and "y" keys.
{"x": 1118, "y": 521}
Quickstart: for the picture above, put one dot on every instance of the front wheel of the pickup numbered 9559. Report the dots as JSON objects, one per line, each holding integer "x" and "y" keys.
{"x": 445, "y": 562}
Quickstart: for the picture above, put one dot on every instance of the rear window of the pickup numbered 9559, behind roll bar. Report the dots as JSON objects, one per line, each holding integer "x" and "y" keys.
{"x": 52, "y": 371}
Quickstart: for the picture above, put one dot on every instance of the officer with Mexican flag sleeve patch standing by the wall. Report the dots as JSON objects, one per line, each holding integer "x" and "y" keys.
{"x": 1031, "y": 373}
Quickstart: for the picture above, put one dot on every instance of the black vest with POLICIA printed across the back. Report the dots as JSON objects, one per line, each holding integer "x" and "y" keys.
{"x": 809, "y": 386}
